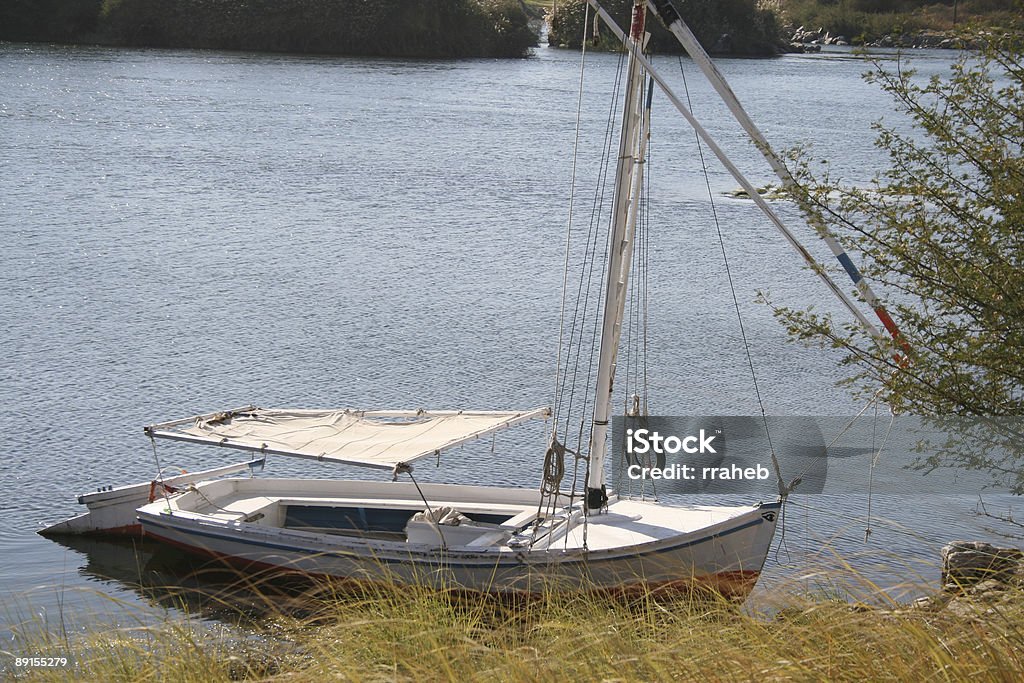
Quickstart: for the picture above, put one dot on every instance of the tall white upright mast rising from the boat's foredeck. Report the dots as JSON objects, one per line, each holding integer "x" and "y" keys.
{"x": 624, "y": 217}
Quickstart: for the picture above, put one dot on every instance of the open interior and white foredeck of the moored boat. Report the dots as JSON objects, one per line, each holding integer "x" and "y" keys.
{"x": 344, "y": 509}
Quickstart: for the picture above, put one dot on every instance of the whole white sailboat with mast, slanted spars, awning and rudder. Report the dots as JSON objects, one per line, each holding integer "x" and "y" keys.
{"x": 472, "y": 538}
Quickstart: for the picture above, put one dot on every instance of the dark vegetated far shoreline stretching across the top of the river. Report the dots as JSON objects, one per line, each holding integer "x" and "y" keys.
{"x": 466, "y": 29}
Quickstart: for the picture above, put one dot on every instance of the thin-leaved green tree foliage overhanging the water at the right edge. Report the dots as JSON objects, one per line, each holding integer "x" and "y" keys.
{"x": 941, "y": 235}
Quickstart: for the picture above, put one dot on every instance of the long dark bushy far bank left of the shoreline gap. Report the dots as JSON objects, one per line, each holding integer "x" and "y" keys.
{"x": 383, "y": 28}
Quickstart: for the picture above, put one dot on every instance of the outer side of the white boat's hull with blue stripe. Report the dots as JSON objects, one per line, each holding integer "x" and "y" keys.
{"x": 726, "y": 558}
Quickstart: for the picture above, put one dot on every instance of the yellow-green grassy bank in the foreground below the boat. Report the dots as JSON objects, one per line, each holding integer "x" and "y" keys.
{"x": 413, "y": 635}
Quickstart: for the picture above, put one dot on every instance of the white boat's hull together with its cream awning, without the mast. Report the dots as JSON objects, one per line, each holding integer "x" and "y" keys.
{"x": 472, "y": 538}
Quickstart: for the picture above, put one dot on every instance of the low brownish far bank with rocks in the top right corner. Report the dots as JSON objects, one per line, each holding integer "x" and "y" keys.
{"x": 871, "y": 21}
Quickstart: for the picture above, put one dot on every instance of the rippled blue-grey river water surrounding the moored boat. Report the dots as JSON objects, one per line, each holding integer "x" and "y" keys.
{"x": 186, "y": 232}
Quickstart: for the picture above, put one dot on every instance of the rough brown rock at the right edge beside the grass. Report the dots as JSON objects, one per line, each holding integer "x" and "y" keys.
{"x": 976, "y": 566}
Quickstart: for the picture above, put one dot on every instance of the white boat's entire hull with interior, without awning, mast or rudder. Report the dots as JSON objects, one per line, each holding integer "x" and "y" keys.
{"x": 634, "y": 545}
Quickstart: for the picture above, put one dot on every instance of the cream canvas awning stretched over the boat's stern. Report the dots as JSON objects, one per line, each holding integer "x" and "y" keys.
{"x": 368, "y": 439}
